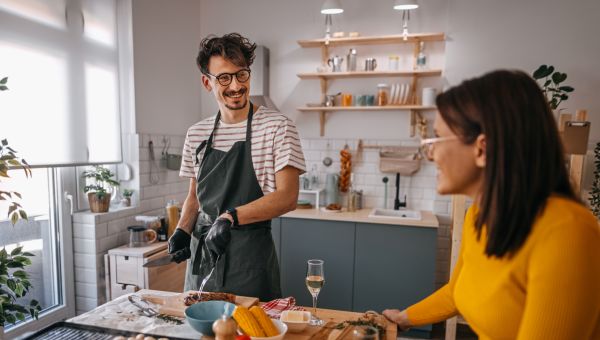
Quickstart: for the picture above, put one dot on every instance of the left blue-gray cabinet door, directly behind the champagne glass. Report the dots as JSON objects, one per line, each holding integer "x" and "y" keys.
{"x": 333, "y": 242}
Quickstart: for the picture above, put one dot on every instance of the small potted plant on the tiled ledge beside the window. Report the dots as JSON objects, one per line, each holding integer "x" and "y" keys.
{"x": 100, "y": 190}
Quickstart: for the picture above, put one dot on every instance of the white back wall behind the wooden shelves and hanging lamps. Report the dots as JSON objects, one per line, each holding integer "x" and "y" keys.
{"x": 482, "y": 35}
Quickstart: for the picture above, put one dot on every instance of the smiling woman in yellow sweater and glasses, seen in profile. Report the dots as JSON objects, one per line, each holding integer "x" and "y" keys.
{"x": 529, "y": 264}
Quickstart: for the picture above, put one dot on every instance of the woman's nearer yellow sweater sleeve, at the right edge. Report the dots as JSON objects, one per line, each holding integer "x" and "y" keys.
{"x": 563, "y": 299}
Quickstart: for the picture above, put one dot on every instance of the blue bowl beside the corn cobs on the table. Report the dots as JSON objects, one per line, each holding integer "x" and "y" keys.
{"x": 201, "y": 315}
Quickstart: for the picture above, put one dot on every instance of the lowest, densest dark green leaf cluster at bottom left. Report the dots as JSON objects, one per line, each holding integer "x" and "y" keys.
{"x": 14, "y": 284}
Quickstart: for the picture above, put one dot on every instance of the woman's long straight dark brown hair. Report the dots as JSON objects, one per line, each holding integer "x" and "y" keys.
{"x": 524, "y": 156}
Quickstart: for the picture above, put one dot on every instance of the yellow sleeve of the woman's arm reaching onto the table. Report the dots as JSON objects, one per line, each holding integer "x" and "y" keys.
{"x": 440, "y": 305}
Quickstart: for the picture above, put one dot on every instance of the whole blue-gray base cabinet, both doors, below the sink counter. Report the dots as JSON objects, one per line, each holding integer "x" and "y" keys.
{"x": 368, "y": 266}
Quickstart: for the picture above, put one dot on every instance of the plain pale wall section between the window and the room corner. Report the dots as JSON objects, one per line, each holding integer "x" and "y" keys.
{"x": 167, "y": 82}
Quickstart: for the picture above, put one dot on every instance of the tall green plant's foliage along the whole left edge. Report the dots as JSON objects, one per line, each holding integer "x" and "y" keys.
{"x": 14, "y": 280}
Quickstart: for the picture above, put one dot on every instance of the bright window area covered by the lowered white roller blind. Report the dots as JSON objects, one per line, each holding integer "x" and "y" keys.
{"x": 61, "y": 58}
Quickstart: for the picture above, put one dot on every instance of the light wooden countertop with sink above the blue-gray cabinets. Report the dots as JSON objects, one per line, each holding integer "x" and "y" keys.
{"x": 428, "y": 219}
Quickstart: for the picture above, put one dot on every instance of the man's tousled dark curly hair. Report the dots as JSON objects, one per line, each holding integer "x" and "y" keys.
{"x": 232, "y": 47}
